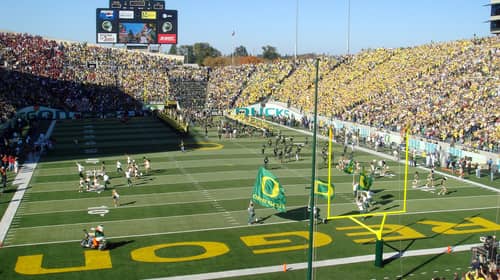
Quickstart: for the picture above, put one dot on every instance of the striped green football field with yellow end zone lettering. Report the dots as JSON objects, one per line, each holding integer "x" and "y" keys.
{"x": 189, "y": 214}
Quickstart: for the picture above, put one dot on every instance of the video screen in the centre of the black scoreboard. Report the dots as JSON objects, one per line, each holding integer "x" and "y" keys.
{"x": 137, "y": 33}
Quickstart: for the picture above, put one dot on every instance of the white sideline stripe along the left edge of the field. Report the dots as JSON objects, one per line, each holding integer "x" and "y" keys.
{"x": 23, "y": 178}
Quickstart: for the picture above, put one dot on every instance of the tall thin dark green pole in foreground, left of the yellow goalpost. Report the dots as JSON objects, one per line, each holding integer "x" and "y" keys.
{"x": 313, "y": 177}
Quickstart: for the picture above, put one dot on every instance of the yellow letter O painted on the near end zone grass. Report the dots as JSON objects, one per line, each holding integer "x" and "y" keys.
{"x": 148, "y": 254}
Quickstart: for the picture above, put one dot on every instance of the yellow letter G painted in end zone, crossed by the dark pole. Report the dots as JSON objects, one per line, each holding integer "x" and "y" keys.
{"x": 320, "y": 239}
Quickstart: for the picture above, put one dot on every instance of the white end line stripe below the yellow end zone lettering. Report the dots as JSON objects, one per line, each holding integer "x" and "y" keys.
{"x": 316, "y": 264}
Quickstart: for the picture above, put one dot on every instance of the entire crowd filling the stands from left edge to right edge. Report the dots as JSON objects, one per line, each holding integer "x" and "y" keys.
{"x": 441, "y": 91}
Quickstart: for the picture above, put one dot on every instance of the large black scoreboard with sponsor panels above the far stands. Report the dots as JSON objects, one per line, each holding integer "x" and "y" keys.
{"x": 136, "y": 22}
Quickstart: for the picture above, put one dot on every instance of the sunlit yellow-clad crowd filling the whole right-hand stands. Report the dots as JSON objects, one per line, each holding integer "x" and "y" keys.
{"x": 442, "y": 91}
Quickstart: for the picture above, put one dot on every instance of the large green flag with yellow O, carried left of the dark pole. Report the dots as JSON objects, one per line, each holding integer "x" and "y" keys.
{"x": 268, "y": 191}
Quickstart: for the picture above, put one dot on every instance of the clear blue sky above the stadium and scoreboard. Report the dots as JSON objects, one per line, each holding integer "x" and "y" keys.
{"x": 322, "y": 24}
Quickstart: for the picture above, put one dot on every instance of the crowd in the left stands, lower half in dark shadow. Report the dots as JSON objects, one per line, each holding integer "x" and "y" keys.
{"x": 77, "y": 77}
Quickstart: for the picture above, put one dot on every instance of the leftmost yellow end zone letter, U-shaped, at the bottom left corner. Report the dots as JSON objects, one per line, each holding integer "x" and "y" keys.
{"x": 32, "y": 265}
